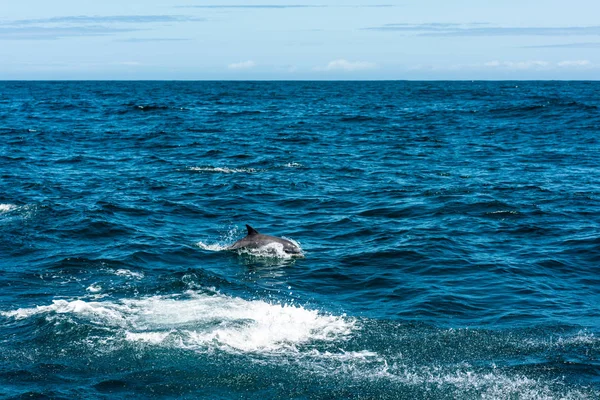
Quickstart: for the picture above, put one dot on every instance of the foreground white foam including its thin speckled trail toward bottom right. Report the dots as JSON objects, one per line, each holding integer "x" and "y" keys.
{"x": 204, "y": 322}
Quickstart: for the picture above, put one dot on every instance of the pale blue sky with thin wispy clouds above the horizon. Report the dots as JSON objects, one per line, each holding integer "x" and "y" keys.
{"x": 300, "y": 39}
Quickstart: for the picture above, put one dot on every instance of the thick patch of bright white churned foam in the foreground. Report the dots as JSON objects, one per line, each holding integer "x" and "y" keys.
{"x": 204, "y": 322}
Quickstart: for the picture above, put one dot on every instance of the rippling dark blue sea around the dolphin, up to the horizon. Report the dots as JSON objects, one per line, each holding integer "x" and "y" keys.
{"x": 451, "y": 233}
